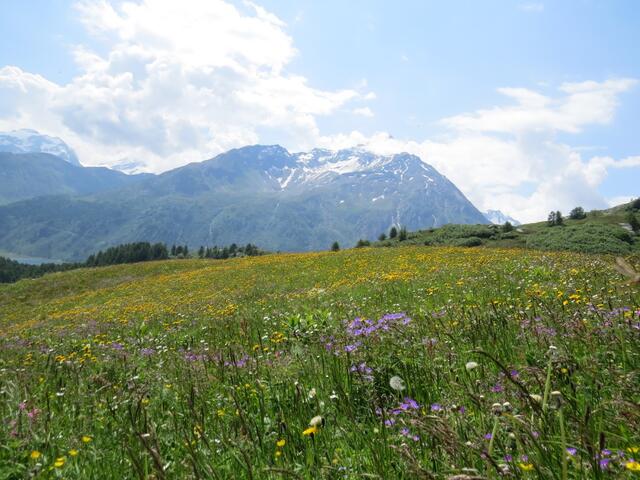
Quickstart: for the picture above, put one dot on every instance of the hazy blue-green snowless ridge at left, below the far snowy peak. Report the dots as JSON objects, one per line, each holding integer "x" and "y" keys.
{"x": 28, "y": 175}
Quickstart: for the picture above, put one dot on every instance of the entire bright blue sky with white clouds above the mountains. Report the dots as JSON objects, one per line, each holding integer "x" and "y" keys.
{"x": 526, "y": 106}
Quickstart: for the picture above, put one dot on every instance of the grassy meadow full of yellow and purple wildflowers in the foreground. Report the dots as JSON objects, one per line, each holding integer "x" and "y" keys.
{"x": 388, "y": 363}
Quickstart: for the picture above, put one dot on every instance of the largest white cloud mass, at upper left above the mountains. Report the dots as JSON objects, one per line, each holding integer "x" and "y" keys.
{"x": 179, "y": 82}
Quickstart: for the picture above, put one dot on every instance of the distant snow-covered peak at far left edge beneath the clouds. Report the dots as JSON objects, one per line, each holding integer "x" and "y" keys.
{"x": 30, "y": 141}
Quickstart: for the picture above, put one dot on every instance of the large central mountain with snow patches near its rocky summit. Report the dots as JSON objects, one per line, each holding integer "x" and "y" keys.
{"x": 258, "y": 194}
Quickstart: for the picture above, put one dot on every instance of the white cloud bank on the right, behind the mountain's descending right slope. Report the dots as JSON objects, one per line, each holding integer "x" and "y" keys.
{"x": 508, "y": 157}
